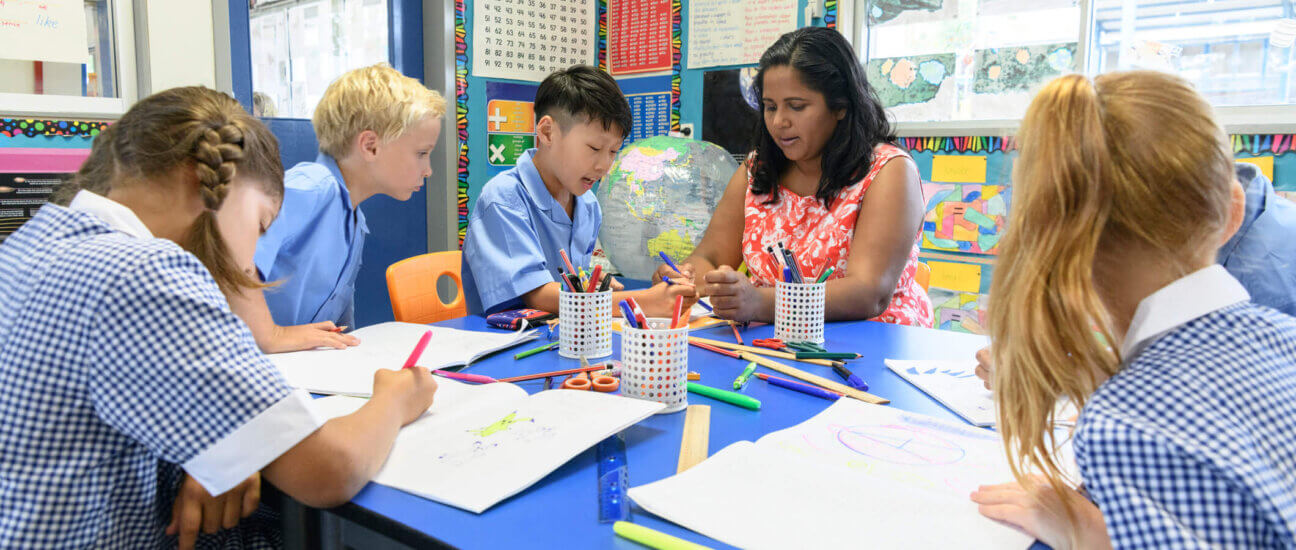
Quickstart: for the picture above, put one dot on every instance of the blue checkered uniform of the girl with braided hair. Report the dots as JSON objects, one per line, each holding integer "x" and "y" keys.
{"x": 120, "y": 359}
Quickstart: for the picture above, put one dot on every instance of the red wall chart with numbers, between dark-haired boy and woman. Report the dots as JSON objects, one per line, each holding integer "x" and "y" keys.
{"x": 638, "y": 36}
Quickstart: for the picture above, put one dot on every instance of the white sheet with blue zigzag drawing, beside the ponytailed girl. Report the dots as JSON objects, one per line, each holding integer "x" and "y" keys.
{"x": 953, "y": 383}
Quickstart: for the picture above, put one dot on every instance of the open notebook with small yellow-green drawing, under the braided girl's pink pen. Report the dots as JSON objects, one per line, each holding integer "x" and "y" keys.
{"x": 481, "y": 444}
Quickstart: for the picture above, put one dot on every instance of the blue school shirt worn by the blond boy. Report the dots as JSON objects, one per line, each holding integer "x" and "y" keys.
{"x": 314, "y": 247}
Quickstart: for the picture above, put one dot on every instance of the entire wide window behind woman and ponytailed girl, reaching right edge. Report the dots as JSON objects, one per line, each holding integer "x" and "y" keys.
{"x": 978, "y": 60}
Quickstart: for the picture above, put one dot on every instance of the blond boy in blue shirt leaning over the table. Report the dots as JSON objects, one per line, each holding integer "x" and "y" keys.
{"x": 376, "y": 130}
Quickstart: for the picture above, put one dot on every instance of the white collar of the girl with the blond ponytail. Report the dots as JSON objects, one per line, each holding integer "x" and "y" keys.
{"x": 1190, "y": 298}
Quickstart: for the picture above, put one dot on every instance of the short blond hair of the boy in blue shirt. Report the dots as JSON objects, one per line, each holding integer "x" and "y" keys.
{"x": 375, "y": 98}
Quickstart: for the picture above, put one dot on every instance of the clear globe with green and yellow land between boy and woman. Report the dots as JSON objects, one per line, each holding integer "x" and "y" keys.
{"x": 660, "y": 197}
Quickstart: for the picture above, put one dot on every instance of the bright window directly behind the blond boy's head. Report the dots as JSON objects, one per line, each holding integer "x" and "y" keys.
{"x": 300, "y": 47}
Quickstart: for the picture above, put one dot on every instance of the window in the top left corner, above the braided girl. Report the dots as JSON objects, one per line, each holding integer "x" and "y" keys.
{"x": 67, "y": 59}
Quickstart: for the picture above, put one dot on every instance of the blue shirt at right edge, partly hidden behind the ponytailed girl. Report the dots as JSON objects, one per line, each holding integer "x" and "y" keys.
{"x": 1263, "y": 254}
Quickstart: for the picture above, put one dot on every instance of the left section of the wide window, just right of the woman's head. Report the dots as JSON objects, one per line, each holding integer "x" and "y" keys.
{"x": 943, "y": 60}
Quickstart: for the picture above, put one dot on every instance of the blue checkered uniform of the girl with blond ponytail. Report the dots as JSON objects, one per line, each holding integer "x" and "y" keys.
{"x": 1194, "y": 443}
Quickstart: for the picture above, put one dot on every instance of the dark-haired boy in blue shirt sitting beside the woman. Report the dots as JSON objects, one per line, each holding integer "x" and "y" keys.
{"x": 527, "y": 215}
